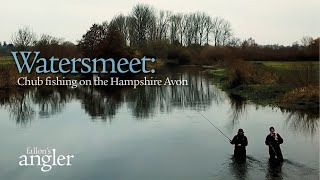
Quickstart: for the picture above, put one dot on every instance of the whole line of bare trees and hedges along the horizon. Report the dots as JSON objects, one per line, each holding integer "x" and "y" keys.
{"x": 189, "y": 37}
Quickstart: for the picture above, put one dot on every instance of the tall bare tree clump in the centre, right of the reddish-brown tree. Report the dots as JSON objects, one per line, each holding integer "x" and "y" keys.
{"x": 146, "y": 25}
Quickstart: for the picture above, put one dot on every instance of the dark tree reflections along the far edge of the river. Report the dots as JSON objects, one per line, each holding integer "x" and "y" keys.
{"x": 103, "y": 103}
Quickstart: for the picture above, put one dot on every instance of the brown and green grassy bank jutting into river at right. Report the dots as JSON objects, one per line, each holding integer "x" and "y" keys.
{"x": 279, "y": 84}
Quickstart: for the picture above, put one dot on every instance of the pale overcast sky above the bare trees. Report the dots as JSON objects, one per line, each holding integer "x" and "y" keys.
{"x": 267, "y": 21}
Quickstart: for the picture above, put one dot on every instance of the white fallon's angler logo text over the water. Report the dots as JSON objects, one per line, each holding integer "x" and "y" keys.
{"x": 46, "y": 158}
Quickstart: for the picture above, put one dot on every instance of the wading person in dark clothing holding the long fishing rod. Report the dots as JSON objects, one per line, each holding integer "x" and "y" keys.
{"x": 240, "y": 142}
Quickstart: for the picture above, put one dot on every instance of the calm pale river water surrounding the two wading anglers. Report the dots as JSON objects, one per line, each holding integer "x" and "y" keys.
{"x": 152, "y": 133}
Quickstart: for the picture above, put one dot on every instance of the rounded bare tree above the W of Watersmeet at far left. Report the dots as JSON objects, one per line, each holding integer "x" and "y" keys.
{"x": 23, "y": 38}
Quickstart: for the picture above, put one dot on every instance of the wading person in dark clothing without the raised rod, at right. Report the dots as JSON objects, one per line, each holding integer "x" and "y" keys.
{"x": 274, "y": 140}
